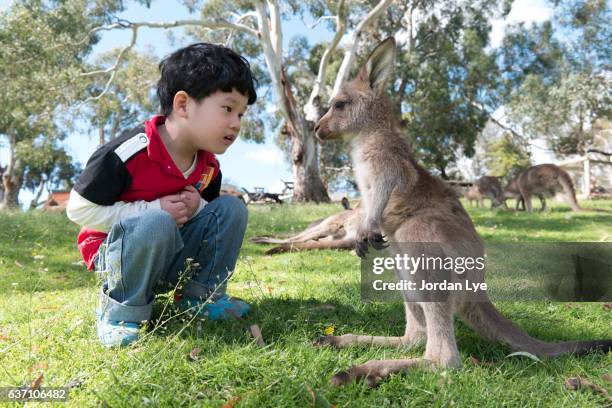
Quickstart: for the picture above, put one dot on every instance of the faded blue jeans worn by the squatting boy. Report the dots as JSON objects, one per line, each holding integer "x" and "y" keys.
{"x": 145, "y": 254}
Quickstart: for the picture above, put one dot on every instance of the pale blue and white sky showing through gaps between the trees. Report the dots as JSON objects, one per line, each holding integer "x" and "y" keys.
{"x": 246, "y": 164}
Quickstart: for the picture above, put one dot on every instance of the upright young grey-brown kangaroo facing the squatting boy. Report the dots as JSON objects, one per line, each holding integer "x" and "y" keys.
{"x": 403, "y": 201}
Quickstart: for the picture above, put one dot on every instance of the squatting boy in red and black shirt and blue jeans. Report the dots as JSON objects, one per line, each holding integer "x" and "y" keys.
{"x": 149, "y": 199}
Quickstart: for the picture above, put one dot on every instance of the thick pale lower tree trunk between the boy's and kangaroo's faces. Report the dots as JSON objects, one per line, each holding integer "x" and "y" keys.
{"x": 308, "y": 185}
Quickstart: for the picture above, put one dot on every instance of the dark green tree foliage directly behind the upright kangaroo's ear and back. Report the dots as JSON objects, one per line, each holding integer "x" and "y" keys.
{"x": 449, "y": 75}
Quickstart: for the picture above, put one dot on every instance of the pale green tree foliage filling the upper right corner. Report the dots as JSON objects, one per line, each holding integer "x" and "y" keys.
{"x": 559, "y": 89}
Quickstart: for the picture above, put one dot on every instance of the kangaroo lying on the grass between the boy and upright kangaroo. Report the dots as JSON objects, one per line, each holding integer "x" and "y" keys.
{"x": 337, "y": 231}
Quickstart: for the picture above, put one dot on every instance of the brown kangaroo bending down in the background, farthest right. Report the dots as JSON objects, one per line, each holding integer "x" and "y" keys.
{"x": 545, "y": 180}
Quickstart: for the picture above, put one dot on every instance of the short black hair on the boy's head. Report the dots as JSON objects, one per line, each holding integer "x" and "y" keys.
{"x": 201, "y": 69}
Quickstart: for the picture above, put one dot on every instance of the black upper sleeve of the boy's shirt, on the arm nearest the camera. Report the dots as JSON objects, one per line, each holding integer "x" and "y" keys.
{"x": 104, "y": 179}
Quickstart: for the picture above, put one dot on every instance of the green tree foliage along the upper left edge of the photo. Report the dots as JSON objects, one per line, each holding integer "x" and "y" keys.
{"x": 42, "y": 47}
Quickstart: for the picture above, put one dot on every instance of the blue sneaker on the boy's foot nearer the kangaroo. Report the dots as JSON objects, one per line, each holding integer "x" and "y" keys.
{"x": 224, "y": 308}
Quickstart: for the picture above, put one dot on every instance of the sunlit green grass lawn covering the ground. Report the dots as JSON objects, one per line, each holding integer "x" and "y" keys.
{"x": 47, "y": 327}
